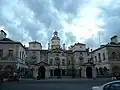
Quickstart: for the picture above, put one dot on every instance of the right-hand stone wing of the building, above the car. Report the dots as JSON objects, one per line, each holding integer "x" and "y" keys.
{"x": 107, "y": 58}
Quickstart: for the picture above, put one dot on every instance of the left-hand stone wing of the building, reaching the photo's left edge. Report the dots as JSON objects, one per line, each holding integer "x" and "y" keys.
{"x": 12, "y": 54}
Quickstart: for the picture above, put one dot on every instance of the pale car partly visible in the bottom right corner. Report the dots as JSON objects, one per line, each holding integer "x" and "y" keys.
{"x": 113, "y": 85}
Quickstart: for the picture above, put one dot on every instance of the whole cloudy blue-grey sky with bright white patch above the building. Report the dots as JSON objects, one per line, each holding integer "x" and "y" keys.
{"x": 75, "y": 20}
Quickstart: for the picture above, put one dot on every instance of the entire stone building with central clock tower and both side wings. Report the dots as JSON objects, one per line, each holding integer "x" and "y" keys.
{"x": 57, "y": 61}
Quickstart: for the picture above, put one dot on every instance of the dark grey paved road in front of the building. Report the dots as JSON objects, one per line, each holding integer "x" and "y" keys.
{"x": 52, "y": 85}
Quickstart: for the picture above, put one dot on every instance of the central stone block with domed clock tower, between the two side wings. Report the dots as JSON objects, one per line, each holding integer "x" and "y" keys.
{"x": 57, "y": 61}
